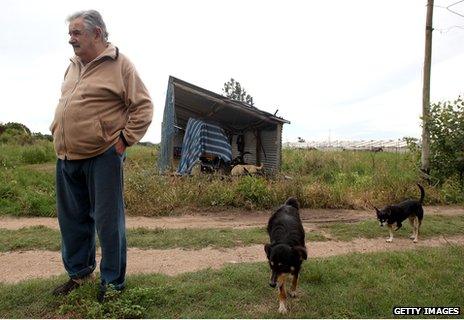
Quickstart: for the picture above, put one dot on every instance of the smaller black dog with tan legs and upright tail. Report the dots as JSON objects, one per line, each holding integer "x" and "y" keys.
{"x": 397, "y": 213}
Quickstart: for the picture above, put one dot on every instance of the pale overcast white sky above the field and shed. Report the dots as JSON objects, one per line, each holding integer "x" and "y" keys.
{"x": 338, "y": 70}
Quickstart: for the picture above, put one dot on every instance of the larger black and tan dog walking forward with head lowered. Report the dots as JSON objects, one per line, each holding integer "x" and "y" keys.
{"x": 286, "y": 250}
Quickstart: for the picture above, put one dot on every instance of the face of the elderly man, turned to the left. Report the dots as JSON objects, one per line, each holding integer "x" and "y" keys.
{"x": 82, "y": 40}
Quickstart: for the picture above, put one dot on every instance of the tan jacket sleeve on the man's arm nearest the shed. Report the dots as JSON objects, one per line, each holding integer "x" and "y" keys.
{"x": 139, "y": 105}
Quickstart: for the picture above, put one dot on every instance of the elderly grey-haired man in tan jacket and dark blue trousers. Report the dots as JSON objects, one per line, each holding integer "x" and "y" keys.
{"x": 104, "y": 108}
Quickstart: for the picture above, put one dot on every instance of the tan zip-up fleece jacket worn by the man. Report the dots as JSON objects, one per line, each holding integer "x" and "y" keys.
{"x": 99, "y": 101}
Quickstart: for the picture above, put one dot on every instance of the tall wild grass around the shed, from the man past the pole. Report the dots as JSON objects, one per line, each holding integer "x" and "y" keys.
{"x": 318, "y": 179}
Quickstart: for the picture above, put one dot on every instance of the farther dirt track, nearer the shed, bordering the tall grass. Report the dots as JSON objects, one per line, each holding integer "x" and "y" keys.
{"x": 230, "y": 219}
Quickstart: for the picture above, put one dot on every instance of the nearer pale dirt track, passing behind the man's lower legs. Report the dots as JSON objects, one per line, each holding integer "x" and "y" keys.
{"x": 19, "y": 266}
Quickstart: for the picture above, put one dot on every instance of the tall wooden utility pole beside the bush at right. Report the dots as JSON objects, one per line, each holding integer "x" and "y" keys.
{"x": 425, "y": 156}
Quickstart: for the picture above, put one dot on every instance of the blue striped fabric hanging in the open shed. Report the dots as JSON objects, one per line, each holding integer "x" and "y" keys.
{"x": 201, "y": 137}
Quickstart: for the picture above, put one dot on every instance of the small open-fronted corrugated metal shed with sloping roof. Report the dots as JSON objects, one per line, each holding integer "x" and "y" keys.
{"x": 261, "y": 130}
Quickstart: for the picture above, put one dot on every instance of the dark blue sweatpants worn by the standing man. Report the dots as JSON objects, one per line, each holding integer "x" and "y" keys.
{"x": 90, "y": 198}
